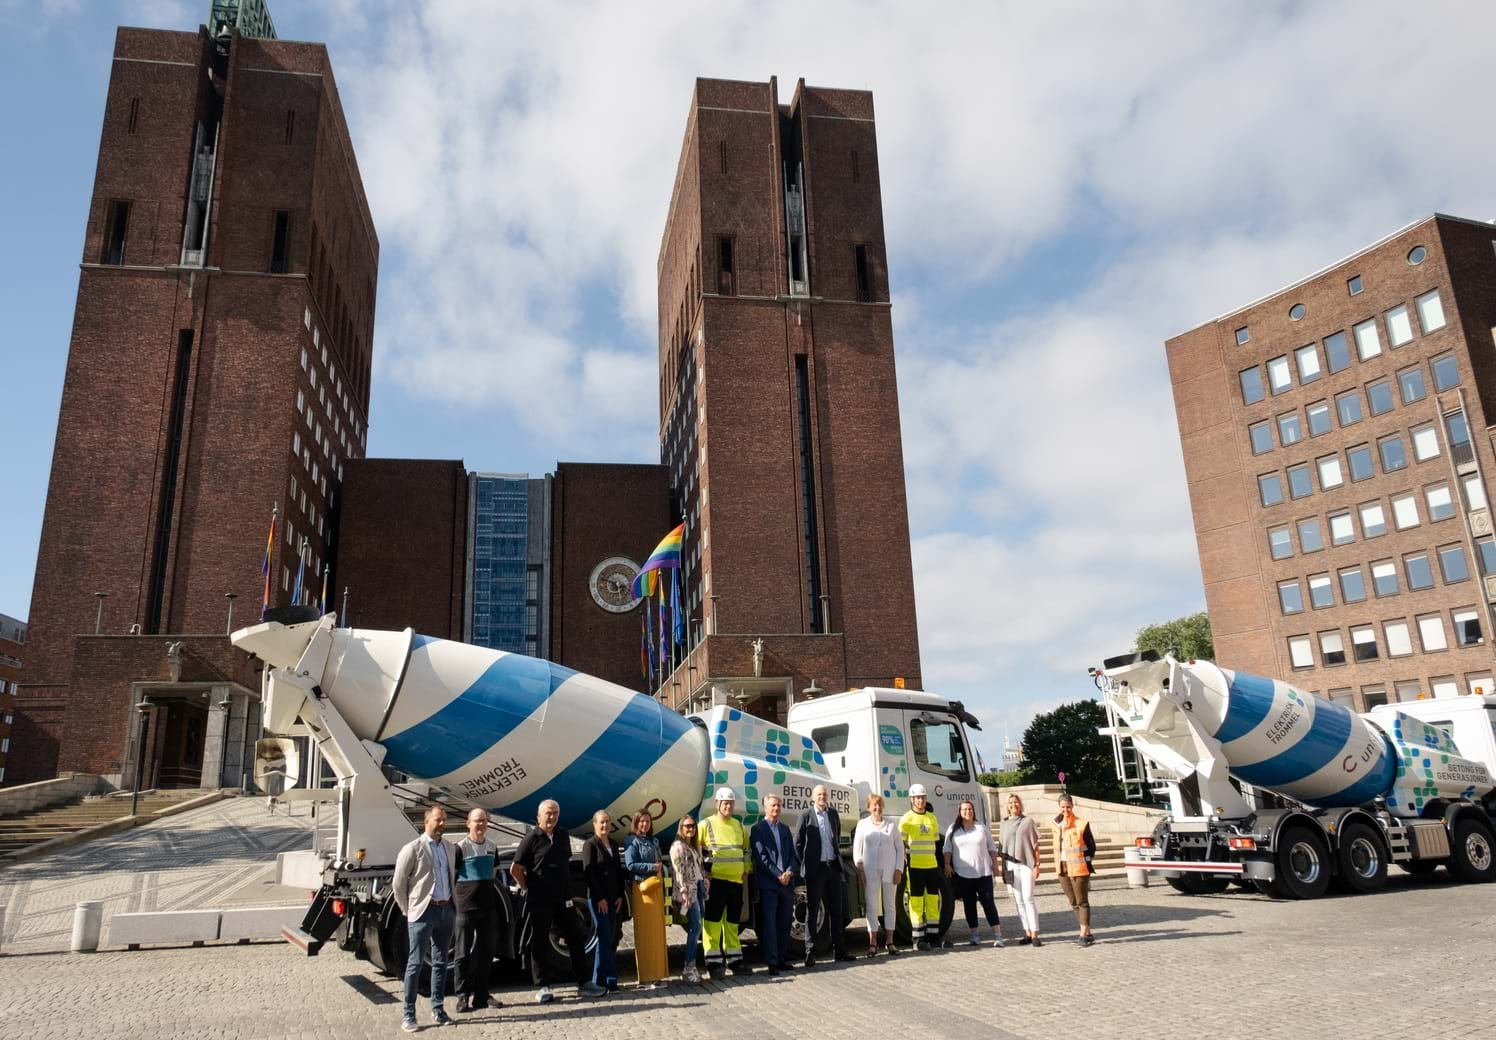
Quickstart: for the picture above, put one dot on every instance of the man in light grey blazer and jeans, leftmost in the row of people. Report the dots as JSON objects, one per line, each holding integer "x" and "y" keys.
{"x": 426, "y": 879}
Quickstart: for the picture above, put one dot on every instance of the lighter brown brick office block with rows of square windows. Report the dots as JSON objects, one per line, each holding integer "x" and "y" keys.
{"x": 1338, "y": 447}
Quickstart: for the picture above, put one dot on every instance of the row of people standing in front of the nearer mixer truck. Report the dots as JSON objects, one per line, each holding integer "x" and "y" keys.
{"x": 447, "y": 888}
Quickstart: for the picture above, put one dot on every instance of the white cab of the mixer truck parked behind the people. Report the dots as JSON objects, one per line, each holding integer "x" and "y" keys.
{"x": 880, "y": 741}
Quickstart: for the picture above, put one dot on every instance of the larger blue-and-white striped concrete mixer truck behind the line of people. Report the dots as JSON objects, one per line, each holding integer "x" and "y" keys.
{"x": 505, "y": 732}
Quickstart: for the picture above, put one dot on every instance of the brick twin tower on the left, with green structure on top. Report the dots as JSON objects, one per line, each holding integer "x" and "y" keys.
{"x": 219, "y": 366}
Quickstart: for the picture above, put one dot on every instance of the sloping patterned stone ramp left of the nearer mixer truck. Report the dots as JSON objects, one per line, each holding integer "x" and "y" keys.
{"x": 218, "y": 857}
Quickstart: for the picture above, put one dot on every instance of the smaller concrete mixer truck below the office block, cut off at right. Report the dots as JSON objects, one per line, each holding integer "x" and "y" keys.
{"x": 1347, "y": 794}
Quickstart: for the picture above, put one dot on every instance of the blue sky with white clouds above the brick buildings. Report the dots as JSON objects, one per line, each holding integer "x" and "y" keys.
{"x": 1066, "y": 186}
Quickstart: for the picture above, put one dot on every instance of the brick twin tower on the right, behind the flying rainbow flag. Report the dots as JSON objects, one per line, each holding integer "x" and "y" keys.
{"x": 779, "y": 402}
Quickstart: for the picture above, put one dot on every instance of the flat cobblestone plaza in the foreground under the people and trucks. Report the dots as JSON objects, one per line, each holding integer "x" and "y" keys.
{"x": 1413, "y": 961}
